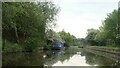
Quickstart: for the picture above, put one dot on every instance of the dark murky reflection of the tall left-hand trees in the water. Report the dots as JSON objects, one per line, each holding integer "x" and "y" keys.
{"x": 22, "y": 59}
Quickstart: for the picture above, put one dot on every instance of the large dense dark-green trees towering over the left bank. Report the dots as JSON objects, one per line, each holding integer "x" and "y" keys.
{"x": 25, "y": 23}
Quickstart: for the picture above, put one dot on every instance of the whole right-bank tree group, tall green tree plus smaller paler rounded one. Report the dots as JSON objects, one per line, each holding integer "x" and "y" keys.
{"x": 109, "y": 31}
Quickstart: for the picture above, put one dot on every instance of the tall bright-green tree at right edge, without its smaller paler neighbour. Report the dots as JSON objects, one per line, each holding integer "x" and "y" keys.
{"x": 109, "y": 30}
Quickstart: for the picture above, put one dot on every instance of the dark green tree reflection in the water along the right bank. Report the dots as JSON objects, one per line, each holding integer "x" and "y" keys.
{"x": 92, "y": 58}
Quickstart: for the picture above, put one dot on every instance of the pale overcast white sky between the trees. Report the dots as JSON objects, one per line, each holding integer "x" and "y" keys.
{"x": 76, "y": 16}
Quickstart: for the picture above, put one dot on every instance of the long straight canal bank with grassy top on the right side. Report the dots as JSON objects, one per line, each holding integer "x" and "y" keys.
{"x": 107, "y": 52}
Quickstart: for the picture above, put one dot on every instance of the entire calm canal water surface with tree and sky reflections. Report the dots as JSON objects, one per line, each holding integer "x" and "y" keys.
{"x": 68, "y": 57}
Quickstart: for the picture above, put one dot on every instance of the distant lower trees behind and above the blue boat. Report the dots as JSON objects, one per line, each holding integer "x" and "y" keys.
{"x": 62, "y": 36}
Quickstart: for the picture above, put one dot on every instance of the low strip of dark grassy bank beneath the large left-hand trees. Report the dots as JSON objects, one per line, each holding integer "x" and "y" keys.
{"x": 19, "y": 47}
